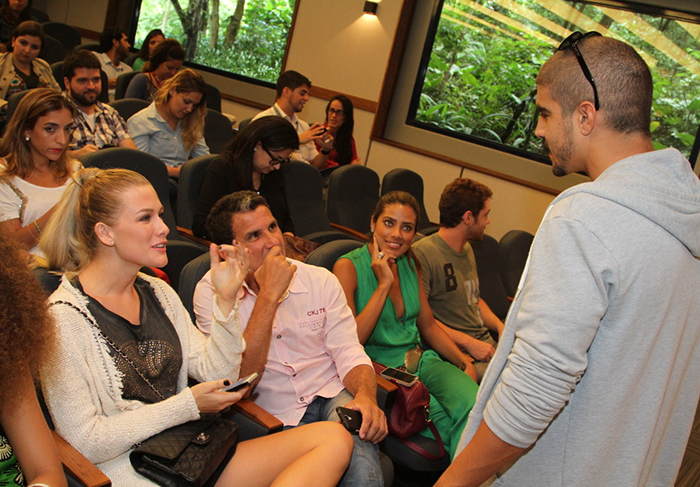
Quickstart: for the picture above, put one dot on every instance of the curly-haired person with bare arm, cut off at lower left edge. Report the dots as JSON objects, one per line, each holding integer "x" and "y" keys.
{"x": 26, "y": 340}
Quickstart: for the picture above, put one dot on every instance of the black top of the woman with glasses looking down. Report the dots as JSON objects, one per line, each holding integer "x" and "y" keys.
{"x": 220, "y": 181}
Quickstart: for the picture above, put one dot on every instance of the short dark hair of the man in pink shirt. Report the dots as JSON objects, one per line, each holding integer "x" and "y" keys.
{"x": 220, "y": 220}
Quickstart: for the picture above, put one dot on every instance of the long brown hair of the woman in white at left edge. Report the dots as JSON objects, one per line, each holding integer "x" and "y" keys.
{"x": 15, "y": 147}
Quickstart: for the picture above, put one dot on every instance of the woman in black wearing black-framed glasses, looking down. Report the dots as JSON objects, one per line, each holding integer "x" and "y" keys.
{"x": 251, "y": 163}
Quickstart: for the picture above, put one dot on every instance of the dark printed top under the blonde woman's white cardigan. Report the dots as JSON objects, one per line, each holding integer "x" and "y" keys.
{"x": 153, "y": 345}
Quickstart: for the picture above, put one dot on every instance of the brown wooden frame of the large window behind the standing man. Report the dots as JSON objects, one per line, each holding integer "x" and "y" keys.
{"x": 416, "y": 27}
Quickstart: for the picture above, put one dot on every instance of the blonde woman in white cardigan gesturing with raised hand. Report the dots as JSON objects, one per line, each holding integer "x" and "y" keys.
{"x": 105, "y": 229}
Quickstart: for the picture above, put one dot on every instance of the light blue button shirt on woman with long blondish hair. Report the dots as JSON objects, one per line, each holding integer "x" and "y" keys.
{"x": 151, "y": 133}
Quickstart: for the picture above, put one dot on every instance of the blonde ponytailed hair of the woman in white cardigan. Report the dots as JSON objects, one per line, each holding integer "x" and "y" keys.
{"x": 69, "y": 241}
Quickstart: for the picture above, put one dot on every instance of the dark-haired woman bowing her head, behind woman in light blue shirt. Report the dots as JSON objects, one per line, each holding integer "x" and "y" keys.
{"x": 166, "y": 60}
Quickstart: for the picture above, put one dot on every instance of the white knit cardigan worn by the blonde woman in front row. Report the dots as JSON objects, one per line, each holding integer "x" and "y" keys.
{"x": 83, "y": 389}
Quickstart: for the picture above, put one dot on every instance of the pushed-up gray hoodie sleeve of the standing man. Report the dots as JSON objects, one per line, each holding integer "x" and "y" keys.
{"x": 569, "y": 284}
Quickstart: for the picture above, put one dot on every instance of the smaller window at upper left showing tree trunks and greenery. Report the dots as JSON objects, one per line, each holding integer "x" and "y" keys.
{"x": 245, "y": 38}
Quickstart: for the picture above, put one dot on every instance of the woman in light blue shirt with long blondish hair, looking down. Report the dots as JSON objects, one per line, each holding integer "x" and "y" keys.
{"x": 172, "y": 127}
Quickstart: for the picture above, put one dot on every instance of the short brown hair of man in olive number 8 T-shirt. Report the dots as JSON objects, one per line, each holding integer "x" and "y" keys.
{"x": 460, "y": 196}
